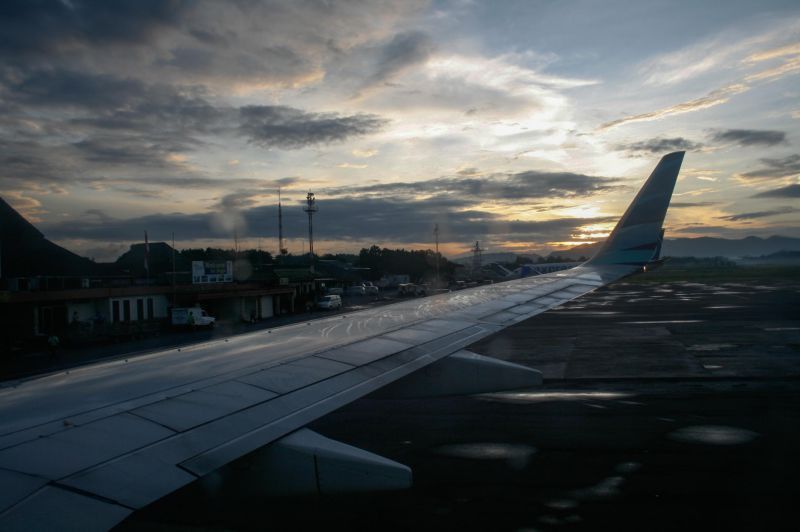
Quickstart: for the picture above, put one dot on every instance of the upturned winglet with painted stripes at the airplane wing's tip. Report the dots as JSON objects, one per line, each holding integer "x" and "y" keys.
{"x": 636, "y": 240}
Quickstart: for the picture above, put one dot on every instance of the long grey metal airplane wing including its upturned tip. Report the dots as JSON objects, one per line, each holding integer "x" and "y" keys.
{"x": 84, "y": 448}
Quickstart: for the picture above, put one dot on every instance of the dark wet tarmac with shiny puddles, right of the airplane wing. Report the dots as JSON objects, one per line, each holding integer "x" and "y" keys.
{"x": 664, "y": 407}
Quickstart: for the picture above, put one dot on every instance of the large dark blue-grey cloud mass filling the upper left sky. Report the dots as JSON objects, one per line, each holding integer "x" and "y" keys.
{"x": 95, "y": 89}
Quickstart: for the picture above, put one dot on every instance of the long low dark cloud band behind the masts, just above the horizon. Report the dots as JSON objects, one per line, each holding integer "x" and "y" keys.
{"x": 348, "y": 218}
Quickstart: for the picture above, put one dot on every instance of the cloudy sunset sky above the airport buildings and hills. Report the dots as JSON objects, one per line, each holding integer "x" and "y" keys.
{"x": 525, "y": 125}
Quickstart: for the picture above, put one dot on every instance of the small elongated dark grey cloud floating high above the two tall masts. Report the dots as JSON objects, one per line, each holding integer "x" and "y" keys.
{"x": 288, "y": 128}
